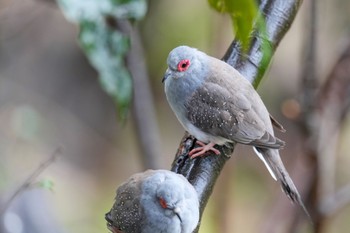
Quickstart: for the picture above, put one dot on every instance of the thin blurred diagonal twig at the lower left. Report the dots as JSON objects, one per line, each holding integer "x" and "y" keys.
{"x": 31, "y": 178}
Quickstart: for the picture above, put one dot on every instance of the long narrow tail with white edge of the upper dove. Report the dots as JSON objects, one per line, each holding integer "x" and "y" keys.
{"x": 274, "y": 164}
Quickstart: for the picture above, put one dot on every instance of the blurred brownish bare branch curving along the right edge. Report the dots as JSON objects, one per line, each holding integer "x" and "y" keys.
{"x": 333, "y": 104}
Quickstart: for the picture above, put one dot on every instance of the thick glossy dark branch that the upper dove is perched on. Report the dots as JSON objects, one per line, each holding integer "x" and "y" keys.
{"x": 203, "y": 172}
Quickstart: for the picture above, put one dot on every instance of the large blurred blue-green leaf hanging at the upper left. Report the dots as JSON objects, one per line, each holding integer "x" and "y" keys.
{"x": 104, "y": 45}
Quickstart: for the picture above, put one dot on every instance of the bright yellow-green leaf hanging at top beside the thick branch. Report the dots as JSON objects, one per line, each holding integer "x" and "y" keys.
{"x": 243, "y": 14}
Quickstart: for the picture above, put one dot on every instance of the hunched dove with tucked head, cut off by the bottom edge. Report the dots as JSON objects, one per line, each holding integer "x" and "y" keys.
{"x": 154, "y": 201}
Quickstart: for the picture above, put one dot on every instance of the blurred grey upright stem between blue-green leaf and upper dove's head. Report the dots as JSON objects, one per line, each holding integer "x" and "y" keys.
{"x": 143, "y": 104}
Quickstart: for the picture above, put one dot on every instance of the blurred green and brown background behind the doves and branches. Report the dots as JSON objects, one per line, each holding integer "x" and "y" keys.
{"x": 50, "y": 97}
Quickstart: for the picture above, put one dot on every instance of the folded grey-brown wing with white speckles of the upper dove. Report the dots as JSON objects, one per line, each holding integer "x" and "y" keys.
{"x": 219, "y": 111}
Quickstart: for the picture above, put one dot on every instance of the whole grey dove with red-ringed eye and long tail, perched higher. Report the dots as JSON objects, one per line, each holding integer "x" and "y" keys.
{"x": 217, "y": 105}
